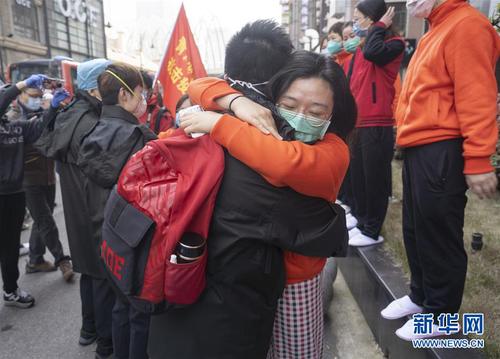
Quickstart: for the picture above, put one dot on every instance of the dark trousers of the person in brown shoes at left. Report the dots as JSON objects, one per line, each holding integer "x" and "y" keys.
{"x": 44, "y": 233}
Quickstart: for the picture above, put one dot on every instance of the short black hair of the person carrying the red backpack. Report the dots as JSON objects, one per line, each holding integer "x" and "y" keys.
{"x": 257, "y": 52}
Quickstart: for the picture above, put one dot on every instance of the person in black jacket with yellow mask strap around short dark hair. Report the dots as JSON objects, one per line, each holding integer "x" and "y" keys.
{"x": 103, "y": 153}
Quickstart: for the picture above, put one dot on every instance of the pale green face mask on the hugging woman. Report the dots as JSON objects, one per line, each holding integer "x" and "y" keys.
{"x": 308, "y": 129}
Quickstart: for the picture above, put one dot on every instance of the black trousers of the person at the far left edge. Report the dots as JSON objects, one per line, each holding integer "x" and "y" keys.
{"x": 11, "y": 221}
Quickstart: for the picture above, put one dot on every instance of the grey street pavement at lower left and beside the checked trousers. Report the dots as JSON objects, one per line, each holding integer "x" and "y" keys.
{"x": 51, "y": 328}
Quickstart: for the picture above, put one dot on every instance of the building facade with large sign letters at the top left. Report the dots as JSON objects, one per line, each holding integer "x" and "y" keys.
{"x": 48, "y": 28}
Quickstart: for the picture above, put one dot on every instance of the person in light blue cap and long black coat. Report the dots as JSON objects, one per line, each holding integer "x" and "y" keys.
{"x": 62, "y": 143}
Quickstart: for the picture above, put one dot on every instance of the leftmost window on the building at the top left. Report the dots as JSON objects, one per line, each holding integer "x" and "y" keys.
{"x": 25, "y": 18}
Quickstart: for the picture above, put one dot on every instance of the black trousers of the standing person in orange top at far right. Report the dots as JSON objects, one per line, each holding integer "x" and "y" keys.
{"x": 433, "y": 218}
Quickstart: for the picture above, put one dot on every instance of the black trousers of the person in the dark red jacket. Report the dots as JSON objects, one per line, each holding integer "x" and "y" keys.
{"x": 370, "y": 173}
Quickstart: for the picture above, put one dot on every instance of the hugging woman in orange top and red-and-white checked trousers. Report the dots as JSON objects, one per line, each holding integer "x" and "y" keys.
{"x": 312, "y": 170}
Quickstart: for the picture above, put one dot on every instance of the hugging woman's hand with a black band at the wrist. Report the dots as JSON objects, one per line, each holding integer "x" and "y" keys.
{"x": 256, "y": 115}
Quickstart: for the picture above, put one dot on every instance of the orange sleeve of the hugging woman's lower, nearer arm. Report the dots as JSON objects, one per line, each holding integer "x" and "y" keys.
{"x": 313, "y": 170}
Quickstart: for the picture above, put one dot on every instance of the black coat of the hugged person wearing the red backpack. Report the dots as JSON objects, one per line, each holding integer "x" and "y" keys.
{"x": 252, "y": 222}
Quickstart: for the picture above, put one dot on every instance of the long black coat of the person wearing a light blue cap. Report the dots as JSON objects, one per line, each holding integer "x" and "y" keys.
{"x": 62, "y": 142}
